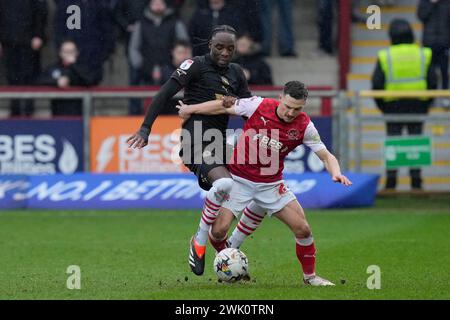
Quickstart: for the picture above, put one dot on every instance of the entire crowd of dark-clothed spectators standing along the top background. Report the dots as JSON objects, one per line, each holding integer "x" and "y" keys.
{"x": 154, "y": 31}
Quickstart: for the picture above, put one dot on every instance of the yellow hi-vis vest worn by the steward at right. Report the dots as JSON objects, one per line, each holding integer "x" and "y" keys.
{"x": 405, "y": 67}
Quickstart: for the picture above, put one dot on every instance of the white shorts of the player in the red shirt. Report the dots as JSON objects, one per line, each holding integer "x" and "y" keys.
{"x": 272, "y": 196}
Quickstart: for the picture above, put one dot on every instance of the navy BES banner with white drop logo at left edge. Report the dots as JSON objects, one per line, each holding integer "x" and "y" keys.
{"x": 41, "y": 146}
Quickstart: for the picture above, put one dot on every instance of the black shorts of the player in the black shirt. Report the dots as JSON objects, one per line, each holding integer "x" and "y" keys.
{"x": 201, "y": 160}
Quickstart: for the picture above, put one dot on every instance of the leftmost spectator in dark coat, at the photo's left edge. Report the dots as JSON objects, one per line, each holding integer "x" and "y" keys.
{"x": 22, "y": 25}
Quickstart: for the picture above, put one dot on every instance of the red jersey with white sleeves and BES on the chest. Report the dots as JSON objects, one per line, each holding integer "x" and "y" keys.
{"x": 267, "y": 140}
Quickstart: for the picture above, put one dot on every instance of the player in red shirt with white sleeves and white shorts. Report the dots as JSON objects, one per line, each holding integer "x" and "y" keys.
{"x": 273, "y": 129}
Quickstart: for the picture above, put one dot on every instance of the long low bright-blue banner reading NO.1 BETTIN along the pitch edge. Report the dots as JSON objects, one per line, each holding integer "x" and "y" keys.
{"x": 165, "y": 191}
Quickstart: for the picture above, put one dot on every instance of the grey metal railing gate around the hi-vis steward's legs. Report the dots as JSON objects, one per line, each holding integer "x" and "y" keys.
{"x": 352, "y": 122}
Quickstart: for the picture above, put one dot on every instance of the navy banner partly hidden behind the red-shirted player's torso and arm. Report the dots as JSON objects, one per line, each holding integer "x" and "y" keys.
{"x": 302, "y": 159}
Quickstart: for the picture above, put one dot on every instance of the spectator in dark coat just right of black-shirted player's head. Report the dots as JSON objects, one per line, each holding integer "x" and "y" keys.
{"x": 249, "y": 56}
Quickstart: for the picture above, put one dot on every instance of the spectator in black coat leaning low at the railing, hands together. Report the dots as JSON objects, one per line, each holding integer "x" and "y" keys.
{"x": 67, "y": 72}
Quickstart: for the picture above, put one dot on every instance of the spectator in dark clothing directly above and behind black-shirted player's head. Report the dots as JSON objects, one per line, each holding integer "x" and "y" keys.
{"x": 203, "y": 20}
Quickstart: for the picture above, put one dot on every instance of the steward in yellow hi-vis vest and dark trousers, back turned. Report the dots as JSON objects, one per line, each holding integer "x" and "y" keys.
{"x": 403, "y": 66}
